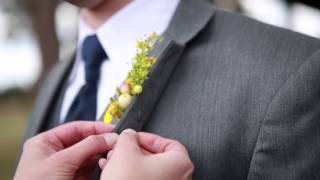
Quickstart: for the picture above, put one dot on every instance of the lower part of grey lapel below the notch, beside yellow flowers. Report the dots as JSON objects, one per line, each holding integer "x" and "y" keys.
{"x": 142, "y": 107}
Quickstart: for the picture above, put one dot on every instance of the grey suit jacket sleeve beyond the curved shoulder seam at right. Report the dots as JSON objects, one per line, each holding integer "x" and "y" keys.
{"x": 288, "y": 144}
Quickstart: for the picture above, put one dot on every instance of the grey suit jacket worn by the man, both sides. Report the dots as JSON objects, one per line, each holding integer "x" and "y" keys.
{"x": 243, "y": 96}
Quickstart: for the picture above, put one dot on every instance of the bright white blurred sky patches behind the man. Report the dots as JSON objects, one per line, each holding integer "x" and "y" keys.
{"x": 20, "y": 63}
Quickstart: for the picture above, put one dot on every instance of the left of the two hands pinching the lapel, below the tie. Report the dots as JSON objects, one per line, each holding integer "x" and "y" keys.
{"x": 70, "y": 151}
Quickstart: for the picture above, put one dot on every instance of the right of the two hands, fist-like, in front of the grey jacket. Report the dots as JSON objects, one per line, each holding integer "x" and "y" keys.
{"x": 144, "y": 156}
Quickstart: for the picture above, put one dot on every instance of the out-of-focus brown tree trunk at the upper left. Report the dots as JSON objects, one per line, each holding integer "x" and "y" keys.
{"x": 39, "y": 16}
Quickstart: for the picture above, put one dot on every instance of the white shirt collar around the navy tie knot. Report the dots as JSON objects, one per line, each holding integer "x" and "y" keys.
{"x": 135, "y": 21}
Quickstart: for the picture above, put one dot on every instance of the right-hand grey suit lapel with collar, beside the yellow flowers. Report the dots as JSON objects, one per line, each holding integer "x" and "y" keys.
{"x": 189, "y": 19}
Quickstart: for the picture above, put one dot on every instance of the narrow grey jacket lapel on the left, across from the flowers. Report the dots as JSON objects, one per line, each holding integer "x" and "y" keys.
{"x": 47, "y": 96}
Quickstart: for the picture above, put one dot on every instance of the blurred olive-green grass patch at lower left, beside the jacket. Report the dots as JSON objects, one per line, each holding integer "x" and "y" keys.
{"x": 14, "y": 111}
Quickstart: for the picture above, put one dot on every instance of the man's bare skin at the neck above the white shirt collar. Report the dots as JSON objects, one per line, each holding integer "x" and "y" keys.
{"x": 96, "y": 16}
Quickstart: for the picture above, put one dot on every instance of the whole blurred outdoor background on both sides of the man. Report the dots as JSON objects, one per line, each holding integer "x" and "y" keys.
{"x": 34, "y": 34}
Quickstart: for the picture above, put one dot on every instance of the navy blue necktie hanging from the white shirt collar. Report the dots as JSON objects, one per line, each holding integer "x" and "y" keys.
{"x": 84, "y": 107}
